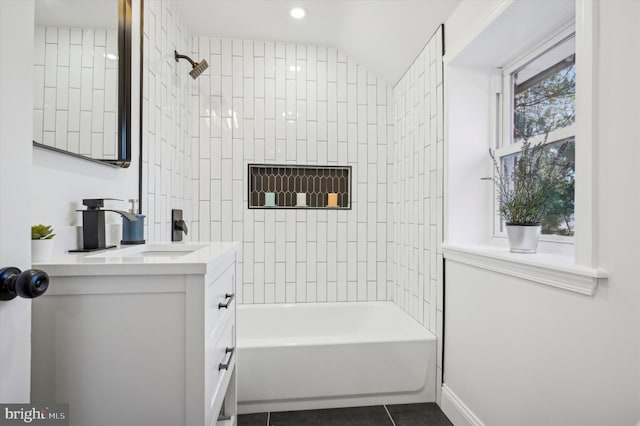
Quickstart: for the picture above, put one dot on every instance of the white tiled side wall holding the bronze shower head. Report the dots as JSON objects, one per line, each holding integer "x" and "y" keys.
{"x": 169, "y": 161}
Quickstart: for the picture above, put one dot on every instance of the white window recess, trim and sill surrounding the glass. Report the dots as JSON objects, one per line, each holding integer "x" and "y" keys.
{"x": 480, "y": 114}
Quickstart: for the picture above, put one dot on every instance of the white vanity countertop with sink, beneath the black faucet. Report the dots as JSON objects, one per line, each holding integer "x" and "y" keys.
{"x": 144, "y": 259}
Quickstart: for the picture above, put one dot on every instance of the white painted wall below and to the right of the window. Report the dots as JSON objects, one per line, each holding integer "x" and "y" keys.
{"x": 526, "y": 354}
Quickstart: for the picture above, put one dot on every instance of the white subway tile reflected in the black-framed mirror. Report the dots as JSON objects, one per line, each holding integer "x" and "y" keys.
{"x": 75, "y": 80}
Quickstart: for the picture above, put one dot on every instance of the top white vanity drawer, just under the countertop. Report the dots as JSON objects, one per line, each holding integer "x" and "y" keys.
{"x": 220, "y": 302}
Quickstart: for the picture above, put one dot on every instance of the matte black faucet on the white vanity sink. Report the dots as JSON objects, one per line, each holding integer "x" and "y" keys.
{"x": 93, "y": 224}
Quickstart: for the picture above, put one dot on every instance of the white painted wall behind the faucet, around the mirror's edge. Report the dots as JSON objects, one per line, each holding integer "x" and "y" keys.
{"x": 60, "y": 182}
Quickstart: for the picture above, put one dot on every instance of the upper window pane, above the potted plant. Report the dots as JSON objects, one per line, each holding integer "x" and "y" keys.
{"x": 544, "y": 93}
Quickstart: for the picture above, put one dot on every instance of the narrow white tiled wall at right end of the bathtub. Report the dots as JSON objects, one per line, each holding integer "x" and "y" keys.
{"x": 415, "y": 166}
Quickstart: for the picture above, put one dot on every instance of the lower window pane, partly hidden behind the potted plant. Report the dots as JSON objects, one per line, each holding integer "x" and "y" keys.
{"x": 558, "y": 217}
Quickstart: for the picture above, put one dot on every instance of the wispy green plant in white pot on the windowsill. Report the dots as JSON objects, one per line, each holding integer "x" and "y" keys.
{"x": 523, "y": 193}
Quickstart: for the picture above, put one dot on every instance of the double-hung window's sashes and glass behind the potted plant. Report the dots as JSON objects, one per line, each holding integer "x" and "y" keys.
{"x": 538, "y": 106}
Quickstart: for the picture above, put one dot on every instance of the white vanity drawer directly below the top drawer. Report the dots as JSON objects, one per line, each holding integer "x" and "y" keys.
{"x": 219, "y": 365}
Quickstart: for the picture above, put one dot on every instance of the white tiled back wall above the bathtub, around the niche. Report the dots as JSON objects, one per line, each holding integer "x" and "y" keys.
{"x": 286, "y": 103}
